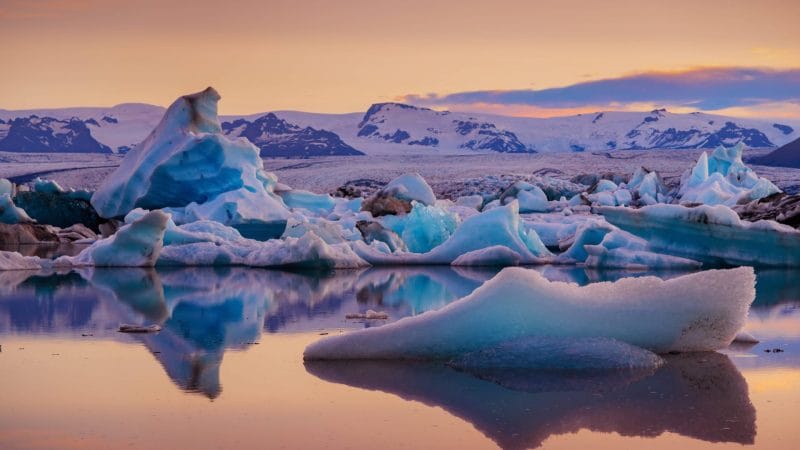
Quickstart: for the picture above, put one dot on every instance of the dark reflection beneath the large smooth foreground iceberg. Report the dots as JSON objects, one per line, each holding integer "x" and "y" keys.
{"x": 701, "y": 396}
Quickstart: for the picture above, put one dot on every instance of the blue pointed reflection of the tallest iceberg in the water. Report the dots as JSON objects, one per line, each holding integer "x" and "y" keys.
{"x": 202, "y": 313}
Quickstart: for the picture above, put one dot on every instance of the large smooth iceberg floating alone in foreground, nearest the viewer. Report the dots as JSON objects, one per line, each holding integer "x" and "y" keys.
{"x": 697, "y": 312}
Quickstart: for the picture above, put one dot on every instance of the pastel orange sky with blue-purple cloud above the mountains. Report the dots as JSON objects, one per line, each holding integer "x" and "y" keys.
{"x": 536, "y": 58}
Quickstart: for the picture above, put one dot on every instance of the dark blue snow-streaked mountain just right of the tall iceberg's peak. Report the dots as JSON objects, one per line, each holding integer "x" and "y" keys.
{"x": 277, "y": 137}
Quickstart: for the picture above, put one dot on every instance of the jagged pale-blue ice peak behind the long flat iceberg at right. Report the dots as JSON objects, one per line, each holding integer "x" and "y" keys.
{"x": 723, "y": 179}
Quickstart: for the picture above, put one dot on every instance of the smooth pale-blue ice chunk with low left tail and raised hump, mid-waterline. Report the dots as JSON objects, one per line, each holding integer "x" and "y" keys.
{"x": 498, "y": 226}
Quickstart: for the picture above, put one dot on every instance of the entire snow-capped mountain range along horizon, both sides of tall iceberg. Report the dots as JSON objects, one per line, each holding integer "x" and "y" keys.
{"x": 396, "y": 129}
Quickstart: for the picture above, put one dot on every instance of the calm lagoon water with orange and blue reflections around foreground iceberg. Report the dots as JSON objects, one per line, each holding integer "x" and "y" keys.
{"x": 226, "y": 371}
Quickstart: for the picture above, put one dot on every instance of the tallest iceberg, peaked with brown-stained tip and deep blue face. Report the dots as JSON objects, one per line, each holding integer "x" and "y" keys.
{"x": 189, "y": 166}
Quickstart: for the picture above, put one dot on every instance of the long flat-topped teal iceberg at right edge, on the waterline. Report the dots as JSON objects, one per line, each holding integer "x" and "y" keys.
{"x": 711, "y": 234}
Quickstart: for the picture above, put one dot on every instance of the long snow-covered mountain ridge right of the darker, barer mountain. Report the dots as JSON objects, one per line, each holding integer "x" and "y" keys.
{"x": 392, "y": 128}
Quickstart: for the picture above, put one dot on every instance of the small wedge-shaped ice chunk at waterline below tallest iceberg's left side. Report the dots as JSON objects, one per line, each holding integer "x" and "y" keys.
{"x": 134, "y": 245}
